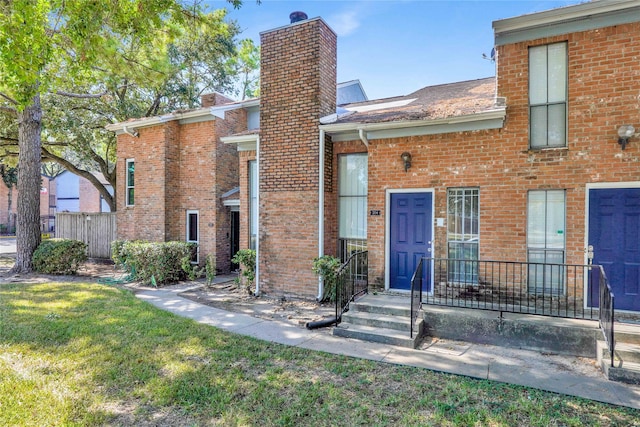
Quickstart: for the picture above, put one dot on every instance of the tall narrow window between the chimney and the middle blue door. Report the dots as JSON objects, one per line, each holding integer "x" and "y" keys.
{"x": 352, "y": 204}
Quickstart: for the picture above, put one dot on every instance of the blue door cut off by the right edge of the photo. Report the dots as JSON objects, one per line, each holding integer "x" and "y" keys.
{"x": 614, "y": 233}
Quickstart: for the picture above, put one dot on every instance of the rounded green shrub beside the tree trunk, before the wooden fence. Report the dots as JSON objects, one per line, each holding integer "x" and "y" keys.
{"x": 59, "y": 256}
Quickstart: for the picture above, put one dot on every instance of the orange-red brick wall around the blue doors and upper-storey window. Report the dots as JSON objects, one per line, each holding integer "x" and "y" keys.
{"x": 604, "y": 83}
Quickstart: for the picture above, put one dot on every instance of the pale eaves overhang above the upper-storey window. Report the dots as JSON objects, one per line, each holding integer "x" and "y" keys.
{"x": 565, "y": 20}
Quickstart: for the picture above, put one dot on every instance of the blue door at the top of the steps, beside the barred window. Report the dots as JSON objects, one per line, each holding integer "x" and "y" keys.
{"x": 410, "y": 237}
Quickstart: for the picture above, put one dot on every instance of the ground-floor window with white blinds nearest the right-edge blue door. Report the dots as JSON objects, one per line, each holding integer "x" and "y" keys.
{"x": 546, "y": 240}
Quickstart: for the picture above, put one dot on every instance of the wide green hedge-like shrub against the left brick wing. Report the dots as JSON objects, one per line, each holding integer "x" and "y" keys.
{"x": 154, "y": 262}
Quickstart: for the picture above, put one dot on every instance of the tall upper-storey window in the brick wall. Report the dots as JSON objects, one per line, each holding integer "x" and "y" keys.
{"x": 548, "y": 96}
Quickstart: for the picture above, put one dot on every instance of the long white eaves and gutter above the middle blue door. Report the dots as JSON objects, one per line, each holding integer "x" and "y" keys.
{"x": 492, "y": 119}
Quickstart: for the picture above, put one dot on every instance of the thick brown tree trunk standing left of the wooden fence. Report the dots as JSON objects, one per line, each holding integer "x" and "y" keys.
{"x": 29, "y": 182}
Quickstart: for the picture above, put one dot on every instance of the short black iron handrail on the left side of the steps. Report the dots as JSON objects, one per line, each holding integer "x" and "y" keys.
{"x": 351, "y": 281}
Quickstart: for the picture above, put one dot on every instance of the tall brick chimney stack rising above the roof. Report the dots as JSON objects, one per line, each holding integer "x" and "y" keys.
{"x": 297, "y": 87}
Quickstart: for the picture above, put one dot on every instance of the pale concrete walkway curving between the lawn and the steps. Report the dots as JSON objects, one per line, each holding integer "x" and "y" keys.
{"x": 560, "y": 374}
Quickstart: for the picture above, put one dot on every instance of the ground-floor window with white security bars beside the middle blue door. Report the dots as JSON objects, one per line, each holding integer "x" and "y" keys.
{"x": 463, "y": 224}
